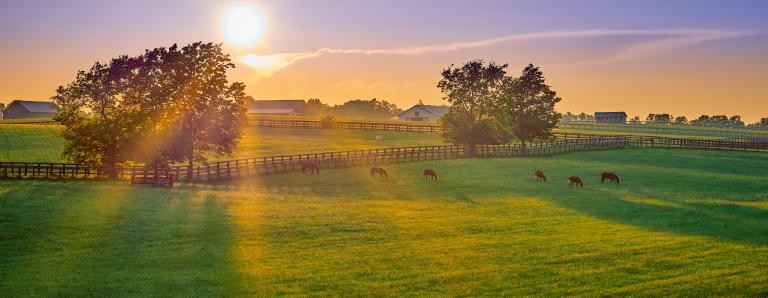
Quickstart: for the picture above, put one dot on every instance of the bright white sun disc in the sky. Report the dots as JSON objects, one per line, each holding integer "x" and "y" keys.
{"x": 242, "y": 24}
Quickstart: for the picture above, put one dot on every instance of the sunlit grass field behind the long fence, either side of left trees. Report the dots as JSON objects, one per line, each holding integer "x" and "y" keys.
{"x": 42, "y": 143}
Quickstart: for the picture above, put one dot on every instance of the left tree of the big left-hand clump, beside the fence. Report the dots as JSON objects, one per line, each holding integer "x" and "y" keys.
{"x": 100, "y": 120}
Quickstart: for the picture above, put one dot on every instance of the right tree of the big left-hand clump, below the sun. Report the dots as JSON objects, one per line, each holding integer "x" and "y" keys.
{"x": 204, "y": 114}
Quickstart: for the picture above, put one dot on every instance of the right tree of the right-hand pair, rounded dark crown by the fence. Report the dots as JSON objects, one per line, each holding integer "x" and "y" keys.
{"x": 528, "y": 103}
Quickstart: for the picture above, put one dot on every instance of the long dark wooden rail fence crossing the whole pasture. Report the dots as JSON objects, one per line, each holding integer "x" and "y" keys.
{"x": 223, "y": 170}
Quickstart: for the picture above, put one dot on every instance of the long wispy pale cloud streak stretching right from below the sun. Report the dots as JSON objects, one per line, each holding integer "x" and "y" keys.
{"x": 662, "y": 40}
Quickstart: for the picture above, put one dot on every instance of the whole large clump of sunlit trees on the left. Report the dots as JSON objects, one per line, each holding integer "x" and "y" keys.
{"x": 164, "y": 106}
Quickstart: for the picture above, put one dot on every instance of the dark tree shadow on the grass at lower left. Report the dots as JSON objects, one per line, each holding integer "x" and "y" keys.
{"x": 155, "y": 242}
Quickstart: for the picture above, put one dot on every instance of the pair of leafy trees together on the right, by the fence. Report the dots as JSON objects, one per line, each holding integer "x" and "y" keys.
{"x": 488, "y": 106}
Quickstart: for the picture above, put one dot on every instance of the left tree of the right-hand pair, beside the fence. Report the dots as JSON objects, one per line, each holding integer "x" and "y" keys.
{"x": 472, "y": 92}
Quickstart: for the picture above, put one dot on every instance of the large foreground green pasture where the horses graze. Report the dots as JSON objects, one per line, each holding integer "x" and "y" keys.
{"x": 682, "y": 223}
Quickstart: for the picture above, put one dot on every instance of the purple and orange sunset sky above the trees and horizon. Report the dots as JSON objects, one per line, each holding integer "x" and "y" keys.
{"x": 681, "y": 57}
